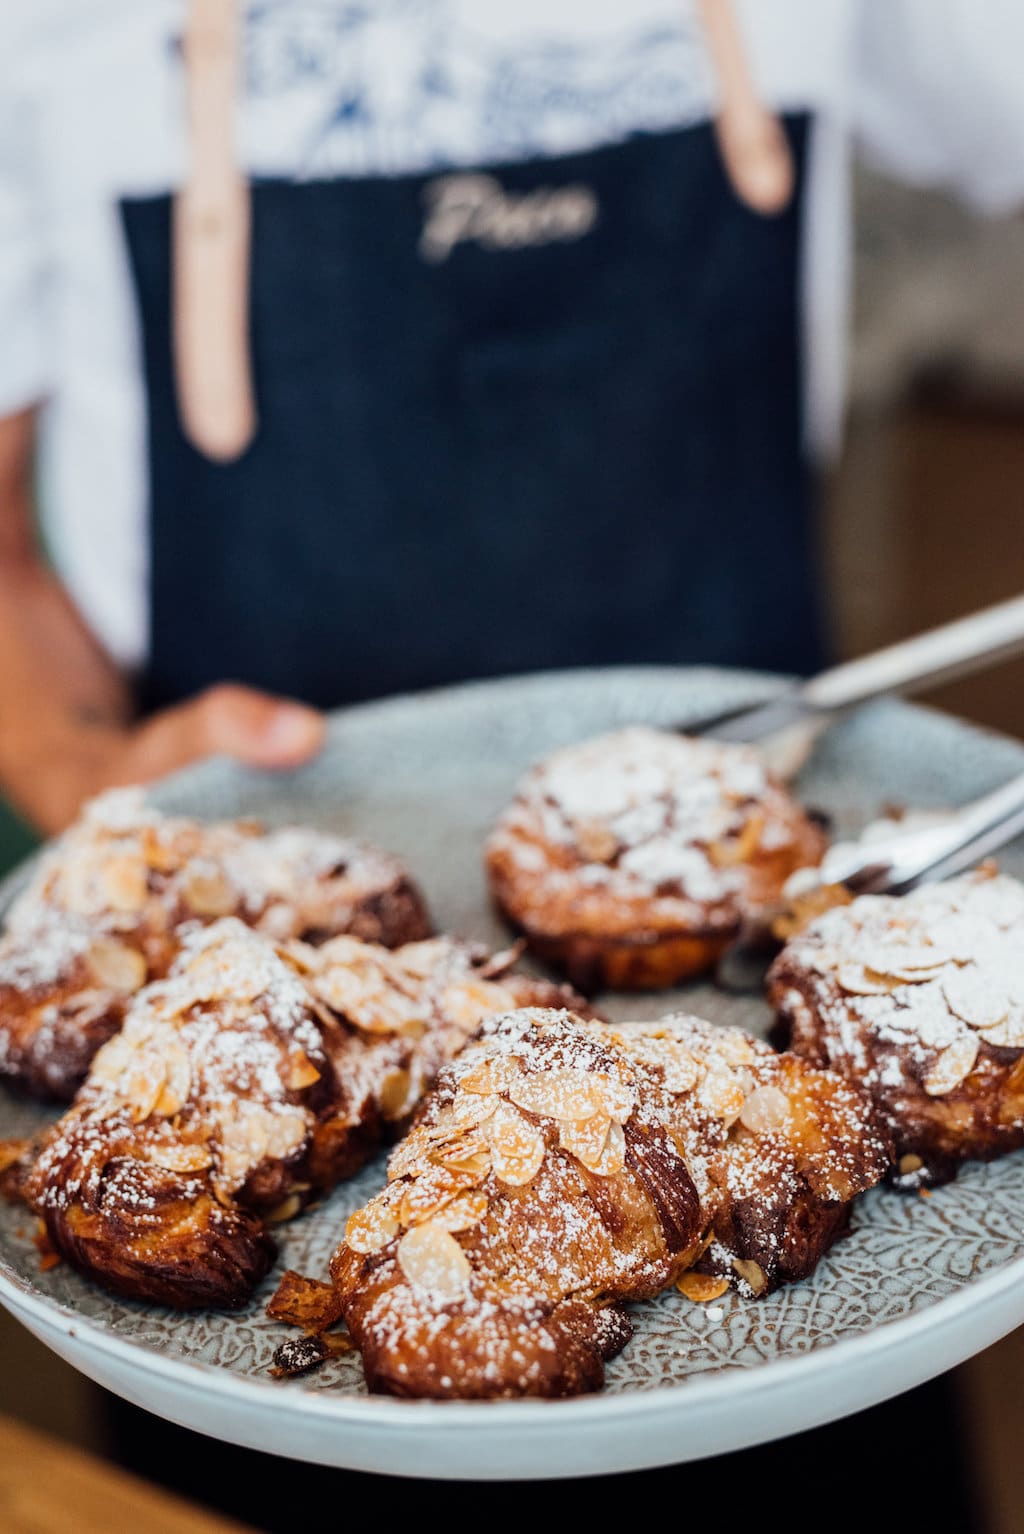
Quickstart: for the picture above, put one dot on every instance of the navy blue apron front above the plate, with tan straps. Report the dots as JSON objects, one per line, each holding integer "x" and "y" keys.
{"x": 577, "y": 453}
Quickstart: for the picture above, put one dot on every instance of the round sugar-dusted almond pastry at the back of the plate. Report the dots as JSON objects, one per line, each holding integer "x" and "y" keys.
{"x": 634, "y": 861}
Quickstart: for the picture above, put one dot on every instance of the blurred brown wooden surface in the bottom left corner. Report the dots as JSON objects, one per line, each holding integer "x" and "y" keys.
{"x": 48, "y": 1487}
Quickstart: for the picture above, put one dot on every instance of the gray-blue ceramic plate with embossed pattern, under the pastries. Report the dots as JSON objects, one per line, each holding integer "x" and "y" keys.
{"x": 919, "y": 1286}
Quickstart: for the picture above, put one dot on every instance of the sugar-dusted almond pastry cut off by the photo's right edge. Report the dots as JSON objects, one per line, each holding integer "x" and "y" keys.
{"x": 922, "y": 1002}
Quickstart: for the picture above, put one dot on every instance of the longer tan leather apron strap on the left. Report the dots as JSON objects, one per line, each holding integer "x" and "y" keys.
{"x": 211, "y": 246}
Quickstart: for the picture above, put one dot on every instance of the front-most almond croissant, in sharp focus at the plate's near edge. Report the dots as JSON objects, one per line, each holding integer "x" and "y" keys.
{"x": 562, "y": 1168}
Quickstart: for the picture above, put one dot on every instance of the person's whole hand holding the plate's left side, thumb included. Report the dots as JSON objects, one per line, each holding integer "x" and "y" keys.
{"x": 51, "y": 769}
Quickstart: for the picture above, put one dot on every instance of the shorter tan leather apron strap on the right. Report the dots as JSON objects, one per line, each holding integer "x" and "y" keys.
{"x": 752, "y": 140}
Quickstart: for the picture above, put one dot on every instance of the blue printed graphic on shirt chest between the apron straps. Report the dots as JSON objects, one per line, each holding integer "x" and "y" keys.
{"x": 401, "y": 85}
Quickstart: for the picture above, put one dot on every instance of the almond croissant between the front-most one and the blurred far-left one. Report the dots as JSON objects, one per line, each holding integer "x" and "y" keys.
{"x": 249, "y": 1081}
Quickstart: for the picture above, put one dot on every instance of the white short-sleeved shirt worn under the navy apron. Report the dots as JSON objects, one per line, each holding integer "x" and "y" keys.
{"x": 91, "y": 111}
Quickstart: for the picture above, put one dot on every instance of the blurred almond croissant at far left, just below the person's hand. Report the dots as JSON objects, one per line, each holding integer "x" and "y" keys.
{"x": 107, "y": 910}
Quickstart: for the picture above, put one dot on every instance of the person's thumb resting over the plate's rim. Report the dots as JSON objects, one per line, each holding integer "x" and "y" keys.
{"x": 235, "y": 722}
